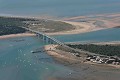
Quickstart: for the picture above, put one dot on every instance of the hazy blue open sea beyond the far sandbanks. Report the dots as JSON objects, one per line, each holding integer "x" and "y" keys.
{"x": 59, "y": 8}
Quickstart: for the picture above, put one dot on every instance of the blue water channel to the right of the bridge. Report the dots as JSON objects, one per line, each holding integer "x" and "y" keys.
{"x": 112, "y": 34}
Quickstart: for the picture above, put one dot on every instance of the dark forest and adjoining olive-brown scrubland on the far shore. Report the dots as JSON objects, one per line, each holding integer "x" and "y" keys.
{"x": 13, "y": 25}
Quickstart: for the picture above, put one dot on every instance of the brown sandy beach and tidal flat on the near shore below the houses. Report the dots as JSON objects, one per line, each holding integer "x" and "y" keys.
{"x": 82, "y": 71}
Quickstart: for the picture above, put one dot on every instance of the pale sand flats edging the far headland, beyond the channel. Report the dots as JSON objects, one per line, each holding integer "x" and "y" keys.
{"x": 89, "y": 23}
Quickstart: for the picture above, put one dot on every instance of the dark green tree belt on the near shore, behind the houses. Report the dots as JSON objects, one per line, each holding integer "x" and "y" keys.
{"x": 109, "y": 50}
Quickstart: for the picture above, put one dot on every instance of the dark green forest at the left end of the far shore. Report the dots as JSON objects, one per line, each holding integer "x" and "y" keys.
{"x": 9, "y": 25}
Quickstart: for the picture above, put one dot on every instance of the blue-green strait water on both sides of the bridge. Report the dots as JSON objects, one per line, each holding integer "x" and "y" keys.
{"x": 18, "y": 63}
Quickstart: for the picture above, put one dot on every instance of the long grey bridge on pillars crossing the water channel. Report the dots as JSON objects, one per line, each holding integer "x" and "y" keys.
{"x": 52, "y": 40}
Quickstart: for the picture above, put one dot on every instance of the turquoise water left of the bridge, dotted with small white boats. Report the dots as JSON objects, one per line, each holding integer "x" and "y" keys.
{"x": 18, "y": 63}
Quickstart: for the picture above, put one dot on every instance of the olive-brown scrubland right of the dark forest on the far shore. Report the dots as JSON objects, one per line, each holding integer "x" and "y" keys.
{"x": 50, "y": 26}
